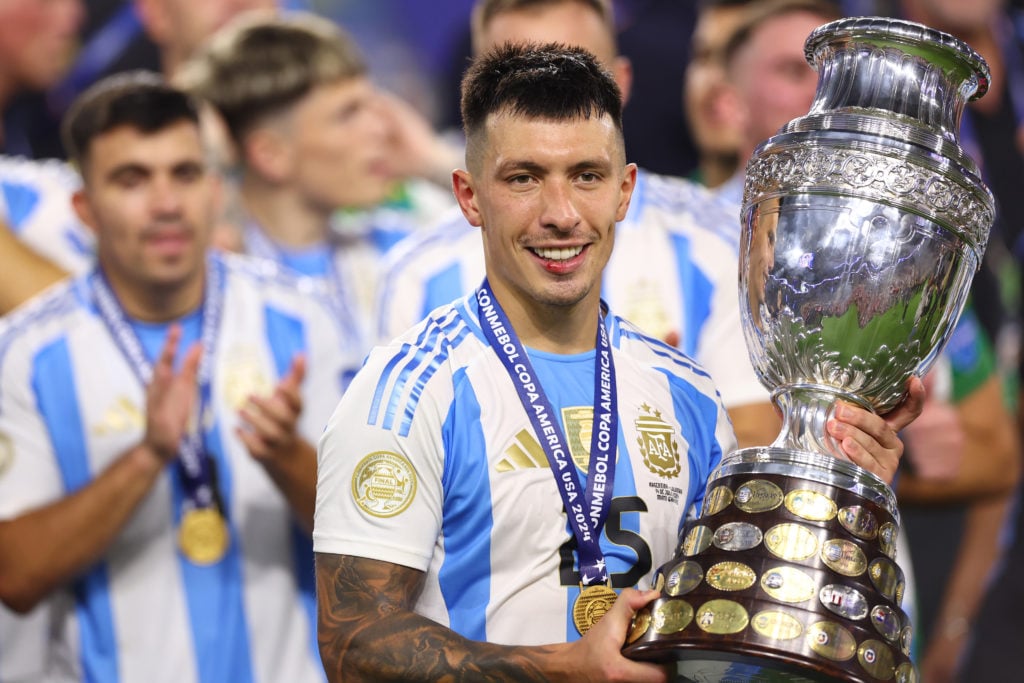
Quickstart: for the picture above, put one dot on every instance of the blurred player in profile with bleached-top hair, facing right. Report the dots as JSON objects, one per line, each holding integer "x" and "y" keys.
{"x": 310, "y": 140}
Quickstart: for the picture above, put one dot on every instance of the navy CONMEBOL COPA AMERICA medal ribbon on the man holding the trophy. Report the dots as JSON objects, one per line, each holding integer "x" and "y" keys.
{"x": 587, "y": 520}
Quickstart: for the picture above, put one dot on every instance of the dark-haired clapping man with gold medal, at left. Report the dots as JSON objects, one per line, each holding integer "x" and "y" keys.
{"x": 158, "y": 415}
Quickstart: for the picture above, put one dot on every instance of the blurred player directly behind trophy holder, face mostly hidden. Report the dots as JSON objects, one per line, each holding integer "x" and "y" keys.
{"x": 673, "y": 272}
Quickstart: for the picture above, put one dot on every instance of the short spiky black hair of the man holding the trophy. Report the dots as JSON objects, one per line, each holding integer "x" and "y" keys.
{"x": 552, "y": 81}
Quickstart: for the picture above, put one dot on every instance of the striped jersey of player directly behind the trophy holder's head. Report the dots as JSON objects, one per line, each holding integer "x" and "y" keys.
{"x": 673, "y": 273}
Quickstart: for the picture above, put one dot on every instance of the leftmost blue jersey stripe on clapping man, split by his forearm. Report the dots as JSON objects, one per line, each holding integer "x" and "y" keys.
{"x": 54, "y": 383}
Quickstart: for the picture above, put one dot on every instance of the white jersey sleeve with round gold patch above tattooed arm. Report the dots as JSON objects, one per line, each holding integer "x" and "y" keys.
{"x": 379, "y": 481}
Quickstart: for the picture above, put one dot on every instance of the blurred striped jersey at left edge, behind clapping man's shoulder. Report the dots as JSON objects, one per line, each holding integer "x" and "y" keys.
{"x": 35, "y": 203}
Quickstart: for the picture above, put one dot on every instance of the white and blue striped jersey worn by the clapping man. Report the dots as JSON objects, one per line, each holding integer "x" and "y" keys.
{"x": 71, "y": 404}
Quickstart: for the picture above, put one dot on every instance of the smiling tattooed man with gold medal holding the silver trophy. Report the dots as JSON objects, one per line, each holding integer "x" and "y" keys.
{"x": 496, "y": 476}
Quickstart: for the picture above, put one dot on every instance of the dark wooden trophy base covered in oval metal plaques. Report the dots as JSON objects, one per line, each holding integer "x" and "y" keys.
{"x": 788, "y": 575}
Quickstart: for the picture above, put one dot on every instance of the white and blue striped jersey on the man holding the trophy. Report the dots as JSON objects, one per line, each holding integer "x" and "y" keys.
{"x": 431, "y": 462}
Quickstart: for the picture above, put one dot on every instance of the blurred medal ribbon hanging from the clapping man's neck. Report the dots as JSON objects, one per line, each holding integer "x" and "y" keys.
{"x": 193, "y": 462}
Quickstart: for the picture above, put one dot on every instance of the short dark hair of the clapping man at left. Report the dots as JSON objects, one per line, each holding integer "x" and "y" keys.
{"x": 141, "y": 100}
